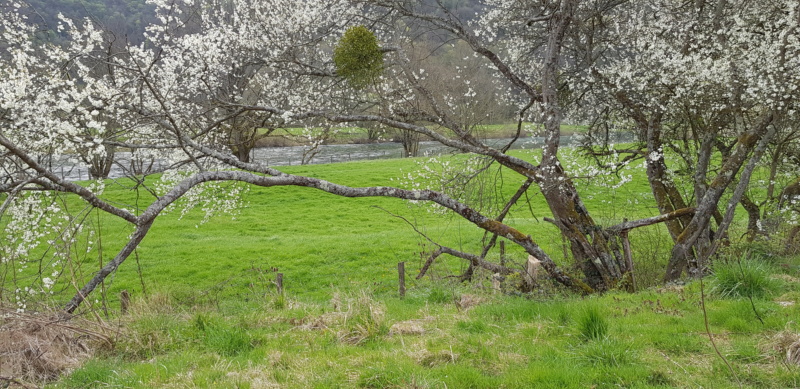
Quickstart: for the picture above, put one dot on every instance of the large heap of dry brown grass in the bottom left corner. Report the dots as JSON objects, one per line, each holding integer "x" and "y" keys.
{"x": 38, "y": 348}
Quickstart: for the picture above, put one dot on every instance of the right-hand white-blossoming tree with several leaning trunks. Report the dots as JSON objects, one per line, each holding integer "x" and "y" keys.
{"x": 713, "y": 82}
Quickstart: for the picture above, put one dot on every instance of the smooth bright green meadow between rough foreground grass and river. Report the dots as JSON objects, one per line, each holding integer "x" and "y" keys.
{"x": 319, "y": 240}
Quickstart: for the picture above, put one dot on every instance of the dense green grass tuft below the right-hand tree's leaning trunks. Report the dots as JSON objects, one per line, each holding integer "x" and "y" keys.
{"x": 743, "y": 278}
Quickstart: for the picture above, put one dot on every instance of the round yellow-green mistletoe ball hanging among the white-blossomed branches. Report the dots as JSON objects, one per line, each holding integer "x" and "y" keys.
{"x": 358, "y": 57}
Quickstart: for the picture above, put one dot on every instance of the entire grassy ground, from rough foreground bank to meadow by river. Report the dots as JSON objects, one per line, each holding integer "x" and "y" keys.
{"x": 211, "y": 317}
